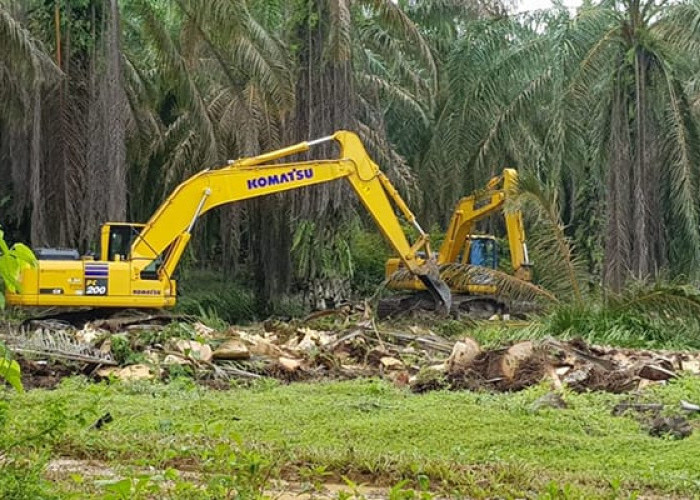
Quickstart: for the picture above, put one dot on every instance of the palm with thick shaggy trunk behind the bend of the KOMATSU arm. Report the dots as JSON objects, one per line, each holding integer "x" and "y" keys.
{"x": 367, "y": 66}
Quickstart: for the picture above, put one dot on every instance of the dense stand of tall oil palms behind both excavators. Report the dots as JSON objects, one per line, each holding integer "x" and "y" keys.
{"x": 105, "y": 106}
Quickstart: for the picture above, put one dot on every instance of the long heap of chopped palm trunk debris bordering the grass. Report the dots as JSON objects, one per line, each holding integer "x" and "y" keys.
{"x": 415, "y": 357}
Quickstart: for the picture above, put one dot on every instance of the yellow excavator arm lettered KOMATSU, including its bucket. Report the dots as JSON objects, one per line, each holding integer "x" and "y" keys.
{"x": 168, "y": 231}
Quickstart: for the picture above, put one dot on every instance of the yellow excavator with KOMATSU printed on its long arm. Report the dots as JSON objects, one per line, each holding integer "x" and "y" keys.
{"x": 137, "y": 261}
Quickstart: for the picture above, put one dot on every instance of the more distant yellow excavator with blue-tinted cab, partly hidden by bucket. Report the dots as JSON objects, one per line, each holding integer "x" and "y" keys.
{"x": 465, "y": 257}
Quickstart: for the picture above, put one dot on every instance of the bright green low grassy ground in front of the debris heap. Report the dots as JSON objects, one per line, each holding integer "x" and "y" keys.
{"x": 459, "y": 443}
